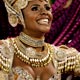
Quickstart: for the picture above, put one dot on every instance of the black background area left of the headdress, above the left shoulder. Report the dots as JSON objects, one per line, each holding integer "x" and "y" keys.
{"x": 6, "y": 30}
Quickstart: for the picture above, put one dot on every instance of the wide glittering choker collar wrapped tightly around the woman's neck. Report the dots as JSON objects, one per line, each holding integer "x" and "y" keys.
{"x": 26, "y": 39}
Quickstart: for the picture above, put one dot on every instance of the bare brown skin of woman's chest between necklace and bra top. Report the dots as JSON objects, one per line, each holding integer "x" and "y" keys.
{"x": 41, "y": 72}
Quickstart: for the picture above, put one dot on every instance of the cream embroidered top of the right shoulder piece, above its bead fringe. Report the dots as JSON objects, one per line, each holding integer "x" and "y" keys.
{"x": 62, "y": 52}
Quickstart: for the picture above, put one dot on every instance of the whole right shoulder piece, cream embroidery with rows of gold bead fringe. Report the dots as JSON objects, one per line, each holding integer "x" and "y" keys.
{"x": 65, "y": 58}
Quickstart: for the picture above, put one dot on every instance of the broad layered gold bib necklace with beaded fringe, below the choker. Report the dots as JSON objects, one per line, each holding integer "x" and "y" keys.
{"x": 30, "y": 55}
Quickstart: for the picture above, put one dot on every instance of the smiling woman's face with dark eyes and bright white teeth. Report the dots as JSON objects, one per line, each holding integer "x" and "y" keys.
{"x": 37, "y": 17}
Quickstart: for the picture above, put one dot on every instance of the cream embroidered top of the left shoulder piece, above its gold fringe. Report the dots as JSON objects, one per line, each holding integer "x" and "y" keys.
{"x": 6, "y": 47}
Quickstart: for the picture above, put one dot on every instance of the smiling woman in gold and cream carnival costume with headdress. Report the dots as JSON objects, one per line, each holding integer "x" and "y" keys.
{"x": 27, "y": 56}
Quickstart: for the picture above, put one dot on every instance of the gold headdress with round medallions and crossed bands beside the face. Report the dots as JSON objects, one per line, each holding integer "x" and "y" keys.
{"x": 13, "y": 8}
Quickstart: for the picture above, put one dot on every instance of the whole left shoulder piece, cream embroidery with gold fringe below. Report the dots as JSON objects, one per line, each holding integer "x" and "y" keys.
{"x": 6, "y": 55}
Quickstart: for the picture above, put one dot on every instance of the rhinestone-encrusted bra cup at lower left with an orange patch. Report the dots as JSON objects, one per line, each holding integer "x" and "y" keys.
{"x": 20, "y": 74}
